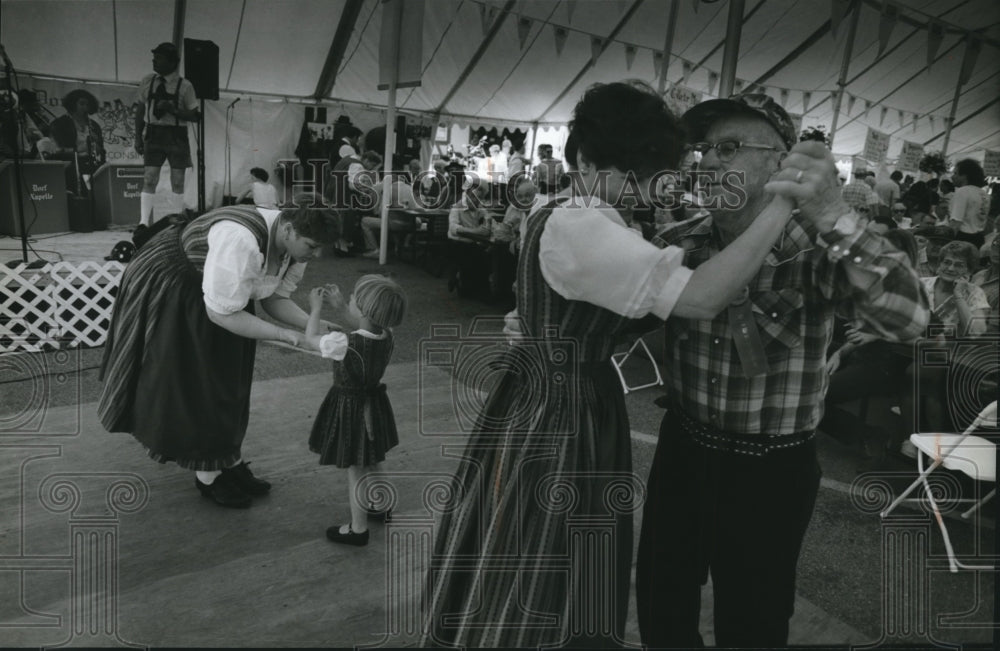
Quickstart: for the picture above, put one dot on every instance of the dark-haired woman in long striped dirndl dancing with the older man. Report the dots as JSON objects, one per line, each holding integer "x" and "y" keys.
{"x": 535, "y": 546}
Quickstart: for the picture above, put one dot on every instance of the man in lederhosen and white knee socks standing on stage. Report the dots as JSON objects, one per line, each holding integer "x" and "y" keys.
{"x": 165, "y": 104}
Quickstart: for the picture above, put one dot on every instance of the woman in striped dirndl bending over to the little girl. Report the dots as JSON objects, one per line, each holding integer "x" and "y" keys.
{"x": 178, "y": 362}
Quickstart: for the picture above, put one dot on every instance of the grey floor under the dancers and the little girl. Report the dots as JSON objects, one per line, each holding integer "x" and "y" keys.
{"x": 186, "y": 573}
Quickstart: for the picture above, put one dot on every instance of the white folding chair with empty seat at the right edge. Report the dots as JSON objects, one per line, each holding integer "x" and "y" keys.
{"x": 972, "y": 455}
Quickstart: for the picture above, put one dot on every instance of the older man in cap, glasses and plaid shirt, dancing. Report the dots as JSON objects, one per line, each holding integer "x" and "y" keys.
{"x": 735, "y": 475}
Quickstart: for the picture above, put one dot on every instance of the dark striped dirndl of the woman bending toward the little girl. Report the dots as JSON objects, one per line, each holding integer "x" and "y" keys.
{"x": 173, "y": 379}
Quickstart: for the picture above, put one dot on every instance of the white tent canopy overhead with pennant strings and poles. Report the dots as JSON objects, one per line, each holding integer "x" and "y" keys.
{"x": 478, "y": 70}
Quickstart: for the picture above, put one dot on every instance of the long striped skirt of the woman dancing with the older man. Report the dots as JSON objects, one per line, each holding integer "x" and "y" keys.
{"x": 536, "y": 547}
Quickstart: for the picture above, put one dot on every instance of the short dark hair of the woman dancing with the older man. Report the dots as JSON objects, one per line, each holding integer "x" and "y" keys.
{"x": 625, "y": 125}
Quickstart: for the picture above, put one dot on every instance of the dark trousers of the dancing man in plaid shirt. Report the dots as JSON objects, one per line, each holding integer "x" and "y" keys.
{"x": 741, "y": 517}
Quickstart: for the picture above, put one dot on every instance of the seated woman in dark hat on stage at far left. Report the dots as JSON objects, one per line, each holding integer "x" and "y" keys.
{"x": 79, "y": 138}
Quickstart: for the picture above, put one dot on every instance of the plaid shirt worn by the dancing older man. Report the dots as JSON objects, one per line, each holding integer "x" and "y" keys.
{"x": 793, "y": 298}
